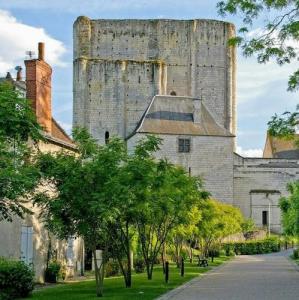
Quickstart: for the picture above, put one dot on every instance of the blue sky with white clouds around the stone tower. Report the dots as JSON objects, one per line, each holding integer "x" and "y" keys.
{"x": 261, "y": 89}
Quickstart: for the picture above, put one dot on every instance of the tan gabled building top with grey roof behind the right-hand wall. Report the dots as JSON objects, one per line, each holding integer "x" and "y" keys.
{"x": 277, "y": 147}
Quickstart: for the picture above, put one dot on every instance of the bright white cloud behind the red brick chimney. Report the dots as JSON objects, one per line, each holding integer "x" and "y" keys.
{"x": 17, "y": 38}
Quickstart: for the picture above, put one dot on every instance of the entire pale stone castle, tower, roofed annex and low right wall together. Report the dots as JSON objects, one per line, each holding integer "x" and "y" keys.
{"x": 175, "y": 79}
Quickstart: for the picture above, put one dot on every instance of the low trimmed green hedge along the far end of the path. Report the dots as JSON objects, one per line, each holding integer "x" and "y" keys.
{"x": 253, "y": 247}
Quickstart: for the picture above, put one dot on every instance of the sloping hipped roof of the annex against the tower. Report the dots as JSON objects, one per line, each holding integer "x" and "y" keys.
{"x": 176, "y": 114}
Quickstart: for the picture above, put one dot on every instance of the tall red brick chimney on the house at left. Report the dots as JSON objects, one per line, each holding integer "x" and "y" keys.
{"x": 38, "y": 88}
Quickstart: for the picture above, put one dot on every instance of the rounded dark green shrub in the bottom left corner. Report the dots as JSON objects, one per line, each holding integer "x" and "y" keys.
{"x": 16, "y": 279}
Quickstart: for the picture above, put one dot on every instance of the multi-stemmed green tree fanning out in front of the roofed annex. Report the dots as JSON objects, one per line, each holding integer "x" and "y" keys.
{"x": 163, "y": 195}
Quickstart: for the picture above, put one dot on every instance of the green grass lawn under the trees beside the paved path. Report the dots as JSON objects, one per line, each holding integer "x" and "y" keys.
{"x": 114, "y": 286}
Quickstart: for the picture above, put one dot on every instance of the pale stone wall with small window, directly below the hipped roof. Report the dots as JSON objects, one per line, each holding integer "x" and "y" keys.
{"x": 211, "y": 158}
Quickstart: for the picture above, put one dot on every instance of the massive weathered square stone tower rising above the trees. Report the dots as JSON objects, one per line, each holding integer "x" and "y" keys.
{"x": 120, "y": 65}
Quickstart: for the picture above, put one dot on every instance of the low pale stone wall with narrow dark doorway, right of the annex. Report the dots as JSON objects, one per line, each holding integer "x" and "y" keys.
{"x": 259, "y": 184}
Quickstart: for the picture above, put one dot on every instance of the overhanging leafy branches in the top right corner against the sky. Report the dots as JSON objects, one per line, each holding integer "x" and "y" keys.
{"x": 279, "y": 36}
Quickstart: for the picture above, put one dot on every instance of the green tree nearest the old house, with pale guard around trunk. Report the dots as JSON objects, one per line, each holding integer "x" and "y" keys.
{"x": 83, "y": 203}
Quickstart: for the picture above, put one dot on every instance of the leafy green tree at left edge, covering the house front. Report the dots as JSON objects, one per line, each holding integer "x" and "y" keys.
{"x": 18, "y": 176}
